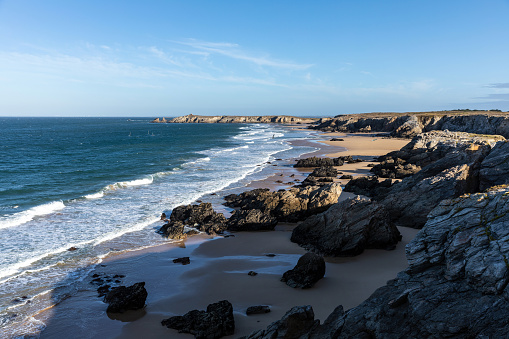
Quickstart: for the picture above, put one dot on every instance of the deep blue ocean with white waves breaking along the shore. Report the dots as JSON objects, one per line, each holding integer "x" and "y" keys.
{"x": 99, "y": 185}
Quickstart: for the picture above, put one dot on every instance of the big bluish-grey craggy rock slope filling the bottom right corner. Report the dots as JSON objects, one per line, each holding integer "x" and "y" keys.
{"x": 456, "y": 285}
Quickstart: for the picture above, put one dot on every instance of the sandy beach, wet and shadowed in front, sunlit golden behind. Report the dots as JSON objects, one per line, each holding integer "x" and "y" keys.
{"x": 219, "y": 267}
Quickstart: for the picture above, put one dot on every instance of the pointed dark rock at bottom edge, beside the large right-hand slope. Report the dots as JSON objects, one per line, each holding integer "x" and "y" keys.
{"x": 296, "y": 323}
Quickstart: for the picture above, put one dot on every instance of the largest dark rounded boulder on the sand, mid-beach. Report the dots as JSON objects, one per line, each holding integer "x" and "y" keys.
{"x": 347, "y": 229}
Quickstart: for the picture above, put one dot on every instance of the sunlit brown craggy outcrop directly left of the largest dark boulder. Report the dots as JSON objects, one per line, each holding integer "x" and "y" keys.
{"x": 290, "y": 205}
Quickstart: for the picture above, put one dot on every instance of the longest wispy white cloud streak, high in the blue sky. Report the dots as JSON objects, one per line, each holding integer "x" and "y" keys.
{"x": 233, "y": 51}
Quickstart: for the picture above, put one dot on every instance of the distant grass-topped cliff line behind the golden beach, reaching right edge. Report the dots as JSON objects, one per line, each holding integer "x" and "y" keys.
{"x": 409, "y": 125}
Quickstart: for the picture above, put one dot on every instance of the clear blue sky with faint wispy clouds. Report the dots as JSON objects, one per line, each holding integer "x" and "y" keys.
{"x": 310, "y": 58}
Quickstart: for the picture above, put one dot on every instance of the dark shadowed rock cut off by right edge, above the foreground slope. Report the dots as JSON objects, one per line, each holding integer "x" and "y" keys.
{"x": 495, "y": 167}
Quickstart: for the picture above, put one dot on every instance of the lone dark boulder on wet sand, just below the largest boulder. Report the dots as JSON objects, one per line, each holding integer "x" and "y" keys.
{"x": 309, "y": 269}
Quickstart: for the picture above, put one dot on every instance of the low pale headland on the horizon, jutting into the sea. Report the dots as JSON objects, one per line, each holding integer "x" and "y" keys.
{"x": 278, "y": 119}
